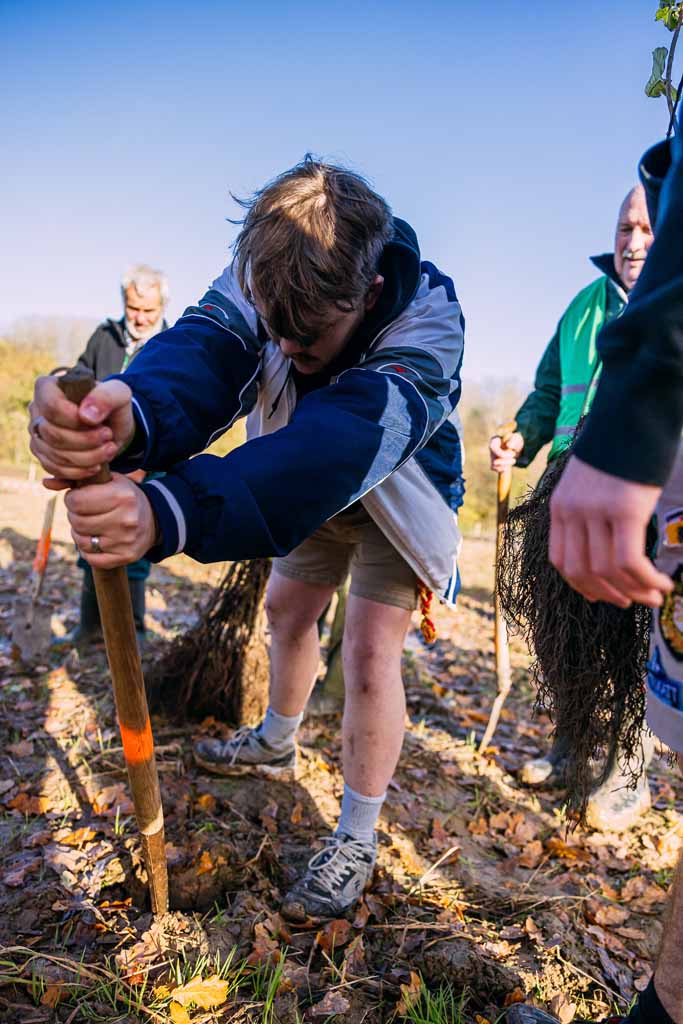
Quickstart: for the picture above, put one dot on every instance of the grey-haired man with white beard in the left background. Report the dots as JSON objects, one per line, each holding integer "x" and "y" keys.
{"x": 145, "y": 294}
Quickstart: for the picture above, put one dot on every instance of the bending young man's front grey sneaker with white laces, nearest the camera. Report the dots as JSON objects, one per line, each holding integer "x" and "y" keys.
{"x": 334, "y": 881}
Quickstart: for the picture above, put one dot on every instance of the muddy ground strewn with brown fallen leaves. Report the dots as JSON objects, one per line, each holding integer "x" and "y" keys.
{"x": 482, "y": 895}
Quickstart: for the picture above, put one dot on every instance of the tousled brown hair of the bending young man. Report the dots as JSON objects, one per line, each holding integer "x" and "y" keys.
{"x": 312, "y": 238}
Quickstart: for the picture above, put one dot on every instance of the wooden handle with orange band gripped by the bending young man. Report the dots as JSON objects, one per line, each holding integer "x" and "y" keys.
{"x": 119, "y": 628}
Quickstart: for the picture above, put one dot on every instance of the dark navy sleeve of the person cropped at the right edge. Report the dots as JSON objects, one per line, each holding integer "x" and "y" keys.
{"x": 634, "y": 429}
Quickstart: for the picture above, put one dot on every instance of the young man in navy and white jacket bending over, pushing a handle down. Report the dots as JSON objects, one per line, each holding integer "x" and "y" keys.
{"x": 344, "y": 349}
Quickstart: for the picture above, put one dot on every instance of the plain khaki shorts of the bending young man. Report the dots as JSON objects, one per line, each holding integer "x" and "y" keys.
{"x": 352, "y": 542}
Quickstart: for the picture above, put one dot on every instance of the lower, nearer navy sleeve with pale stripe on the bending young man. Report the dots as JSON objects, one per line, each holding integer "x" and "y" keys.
{"x": 269, "y": 496}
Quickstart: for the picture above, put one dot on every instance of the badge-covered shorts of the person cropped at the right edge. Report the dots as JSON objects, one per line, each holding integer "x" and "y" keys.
{"x": 665, "y": 668}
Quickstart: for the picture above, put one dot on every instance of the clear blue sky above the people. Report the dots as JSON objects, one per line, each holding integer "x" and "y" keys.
{"x": 506, "y": 133}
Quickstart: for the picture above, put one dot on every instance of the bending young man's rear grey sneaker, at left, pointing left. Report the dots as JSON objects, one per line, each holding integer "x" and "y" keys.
{"x": 245, "y": 752}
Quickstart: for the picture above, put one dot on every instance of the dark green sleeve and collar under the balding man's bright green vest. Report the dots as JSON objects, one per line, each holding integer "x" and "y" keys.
{"x": 537, "y": 418}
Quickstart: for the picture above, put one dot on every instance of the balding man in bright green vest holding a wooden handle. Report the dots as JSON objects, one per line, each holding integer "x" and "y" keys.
{"x": 565, "y": 387}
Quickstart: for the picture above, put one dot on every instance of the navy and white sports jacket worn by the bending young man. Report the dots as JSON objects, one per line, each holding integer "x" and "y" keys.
{"x": 380, "y": 428}
